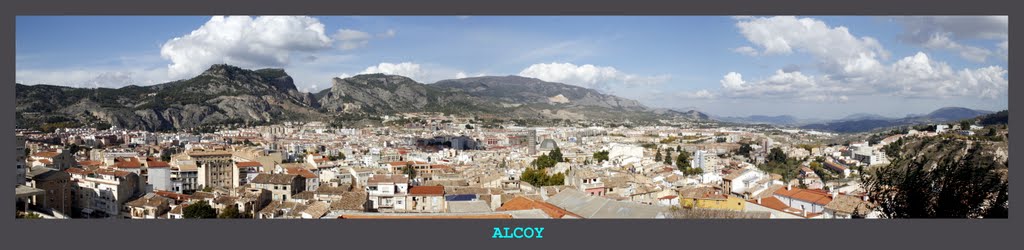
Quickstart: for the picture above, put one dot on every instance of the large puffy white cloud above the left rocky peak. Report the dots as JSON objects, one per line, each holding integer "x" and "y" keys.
{"x": 244, "y": 41}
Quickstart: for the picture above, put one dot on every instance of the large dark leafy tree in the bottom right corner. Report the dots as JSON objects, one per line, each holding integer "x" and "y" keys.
{"x": 928, "y": 181}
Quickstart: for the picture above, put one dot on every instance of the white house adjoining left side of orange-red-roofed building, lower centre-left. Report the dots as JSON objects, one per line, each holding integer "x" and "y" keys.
{"x": 388, "y": 192}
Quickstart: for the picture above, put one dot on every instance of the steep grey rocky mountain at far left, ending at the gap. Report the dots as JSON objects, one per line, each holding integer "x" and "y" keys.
{"x": 223, "y": 95}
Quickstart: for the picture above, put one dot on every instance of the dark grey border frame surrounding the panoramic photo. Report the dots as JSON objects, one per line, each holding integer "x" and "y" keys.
{"x": 918, "y": 234}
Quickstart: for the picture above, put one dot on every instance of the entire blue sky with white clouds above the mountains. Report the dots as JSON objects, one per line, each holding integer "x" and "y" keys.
{"x": 808, "y": 67}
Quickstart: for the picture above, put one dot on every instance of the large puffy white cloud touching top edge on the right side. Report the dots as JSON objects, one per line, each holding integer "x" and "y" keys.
{"x": 840, "y": 53}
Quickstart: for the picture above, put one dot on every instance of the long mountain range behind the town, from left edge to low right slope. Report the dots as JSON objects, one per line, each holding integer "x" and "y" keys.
{"x": 228, "y": 95}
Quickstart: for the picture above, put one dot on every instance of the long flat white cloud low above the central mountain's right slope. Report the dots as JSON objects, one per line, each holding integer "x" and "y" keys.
{"x": 588, "y": 76}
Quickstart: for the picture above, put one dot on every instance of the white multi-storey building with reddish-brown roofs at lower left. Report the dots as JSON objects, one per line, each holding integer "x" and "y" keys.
{"x": 102, "y": 193}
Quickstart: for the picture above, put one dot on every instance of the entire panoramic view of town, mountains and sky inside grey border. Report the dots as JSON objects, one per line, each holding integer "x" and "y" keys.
{"x": 231, "y": 123}
